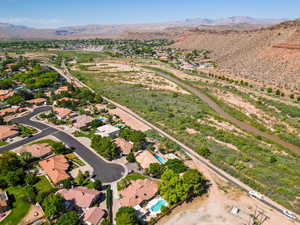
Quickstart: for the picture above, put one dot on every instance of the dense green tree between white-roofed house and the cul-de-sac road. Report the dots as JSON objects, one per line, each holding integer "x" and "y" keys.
{"x": 105, "y": 147}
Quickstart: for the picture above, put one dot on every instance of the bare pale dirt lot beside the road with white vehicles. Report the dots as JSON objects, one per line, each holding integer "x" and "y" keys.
{"x": 214, "y": 208}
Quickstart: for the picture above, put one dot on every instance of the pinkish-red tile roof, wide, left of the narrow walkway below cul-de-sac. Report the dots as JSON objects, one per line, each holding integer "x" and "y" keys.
{"x": 81, "y": 197}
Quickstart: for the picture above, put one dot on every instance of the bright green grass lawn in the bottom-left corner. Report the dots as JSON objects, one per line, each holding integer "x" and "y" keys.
{"x": 19, "y": 207}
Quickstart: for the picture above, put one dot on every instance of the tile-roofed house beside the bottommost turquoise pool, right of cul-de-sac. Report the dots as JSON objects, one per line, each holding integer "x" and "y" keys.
{"x": 138, "y": 191}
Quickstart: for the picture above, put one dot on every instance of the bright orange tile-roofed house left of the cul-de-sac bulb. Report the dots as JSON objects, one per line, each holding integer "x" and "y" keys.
{"x": 56, "y": 168}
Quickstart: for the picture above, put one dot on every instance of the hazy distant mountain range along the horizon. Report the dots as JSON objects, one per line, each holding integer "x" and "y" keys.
{"x": 9, "y": 31}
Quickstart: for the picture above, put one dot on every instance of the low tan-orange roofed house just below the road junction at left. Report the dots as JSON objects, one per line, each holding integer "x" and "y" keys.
{"x": 36, "y": 150}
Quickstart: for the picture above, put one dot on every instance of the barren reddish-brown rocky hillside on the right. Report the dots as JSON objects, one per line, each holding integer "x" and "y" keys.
{"x": 270, "y": 55}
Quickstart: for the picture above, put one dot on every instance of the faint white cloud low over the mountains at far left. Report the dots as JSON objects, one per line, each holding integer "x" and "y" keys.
{"x": 32, "y": 22}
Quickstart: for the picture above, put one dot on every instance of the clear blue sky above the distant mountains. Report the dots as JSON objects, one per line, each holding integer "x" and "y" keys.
{"x": 55, "y": 13}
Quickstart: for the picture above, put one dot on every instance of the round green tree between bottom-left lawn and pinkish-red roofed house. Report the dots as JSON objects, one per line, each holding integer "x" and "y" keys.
{"x": 53, "y": 204}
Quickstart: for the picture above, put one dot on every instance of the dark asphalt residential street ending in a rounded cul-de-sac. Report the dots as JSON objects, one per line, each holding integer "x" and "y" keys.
{"x": 105, "y": 171}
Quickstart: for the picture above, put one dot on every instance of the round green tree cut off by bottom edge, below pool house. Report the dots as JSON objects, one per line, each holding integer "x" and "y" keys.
{"x": 126, "y": 216}
